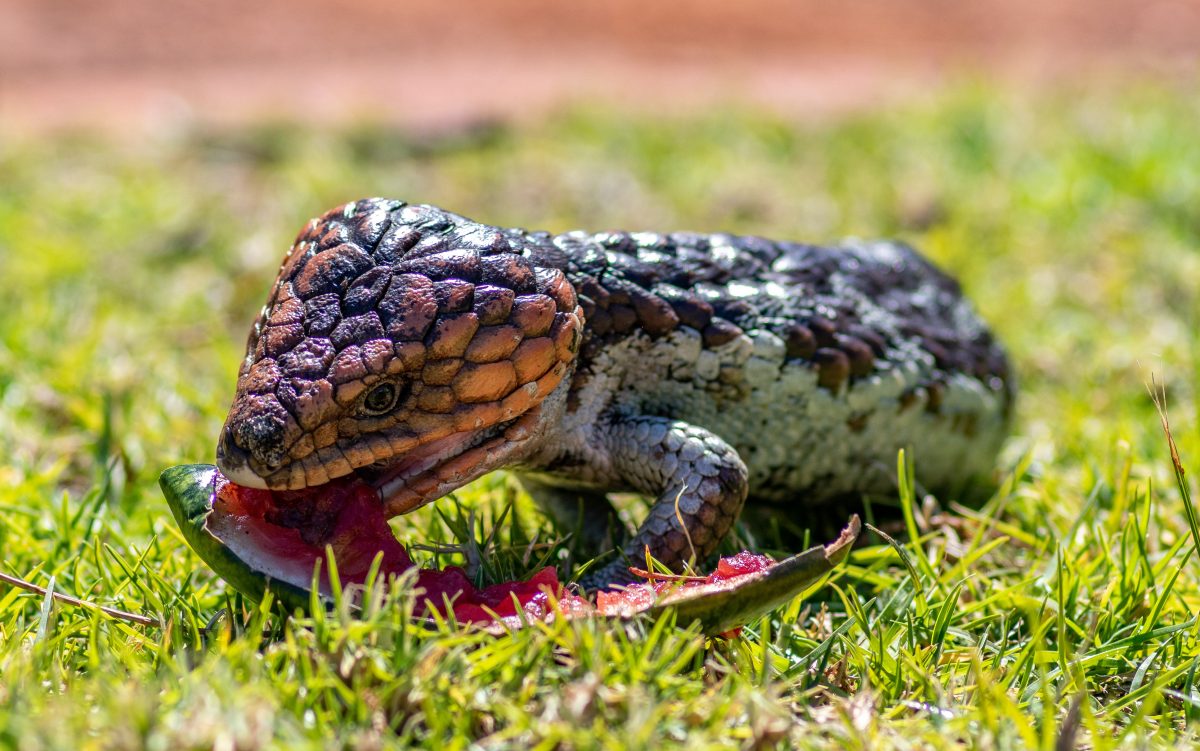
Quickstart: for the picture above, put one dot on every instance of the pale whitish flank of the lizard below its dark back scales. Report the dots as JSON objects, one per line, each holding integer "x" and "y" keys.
{"x": 796, "y": 440}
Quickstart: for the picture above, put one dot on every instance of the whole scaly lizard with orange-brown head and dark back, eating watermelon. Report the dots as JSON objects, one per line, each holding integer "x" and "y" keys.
{"x": 423, "y": 351}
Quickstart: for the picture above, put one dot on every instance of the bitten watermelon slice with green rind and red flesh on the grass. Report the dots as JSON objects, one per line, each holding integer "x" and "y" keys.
{"x": 274, "y": 540}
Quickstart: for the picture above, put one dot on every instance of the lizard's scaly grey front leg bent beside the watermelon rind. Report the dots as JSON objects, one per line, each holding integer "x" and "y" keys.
{"x": 699, "y": 482}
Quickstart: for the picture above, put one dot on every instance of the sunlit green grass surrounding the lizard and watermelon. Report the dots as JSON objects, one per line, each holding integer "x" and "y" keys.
{"x": 1061, "y": 614}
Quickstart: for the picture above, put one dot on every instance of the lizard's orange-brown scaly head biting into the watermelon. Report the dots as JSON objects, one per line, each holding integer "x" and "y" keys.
{"x": 403, "y": 344}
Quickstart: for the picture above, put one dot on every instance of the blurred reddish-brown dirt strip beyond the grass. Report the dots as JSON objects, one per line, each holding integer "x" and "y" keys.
{"x": 136, "y": 67}
